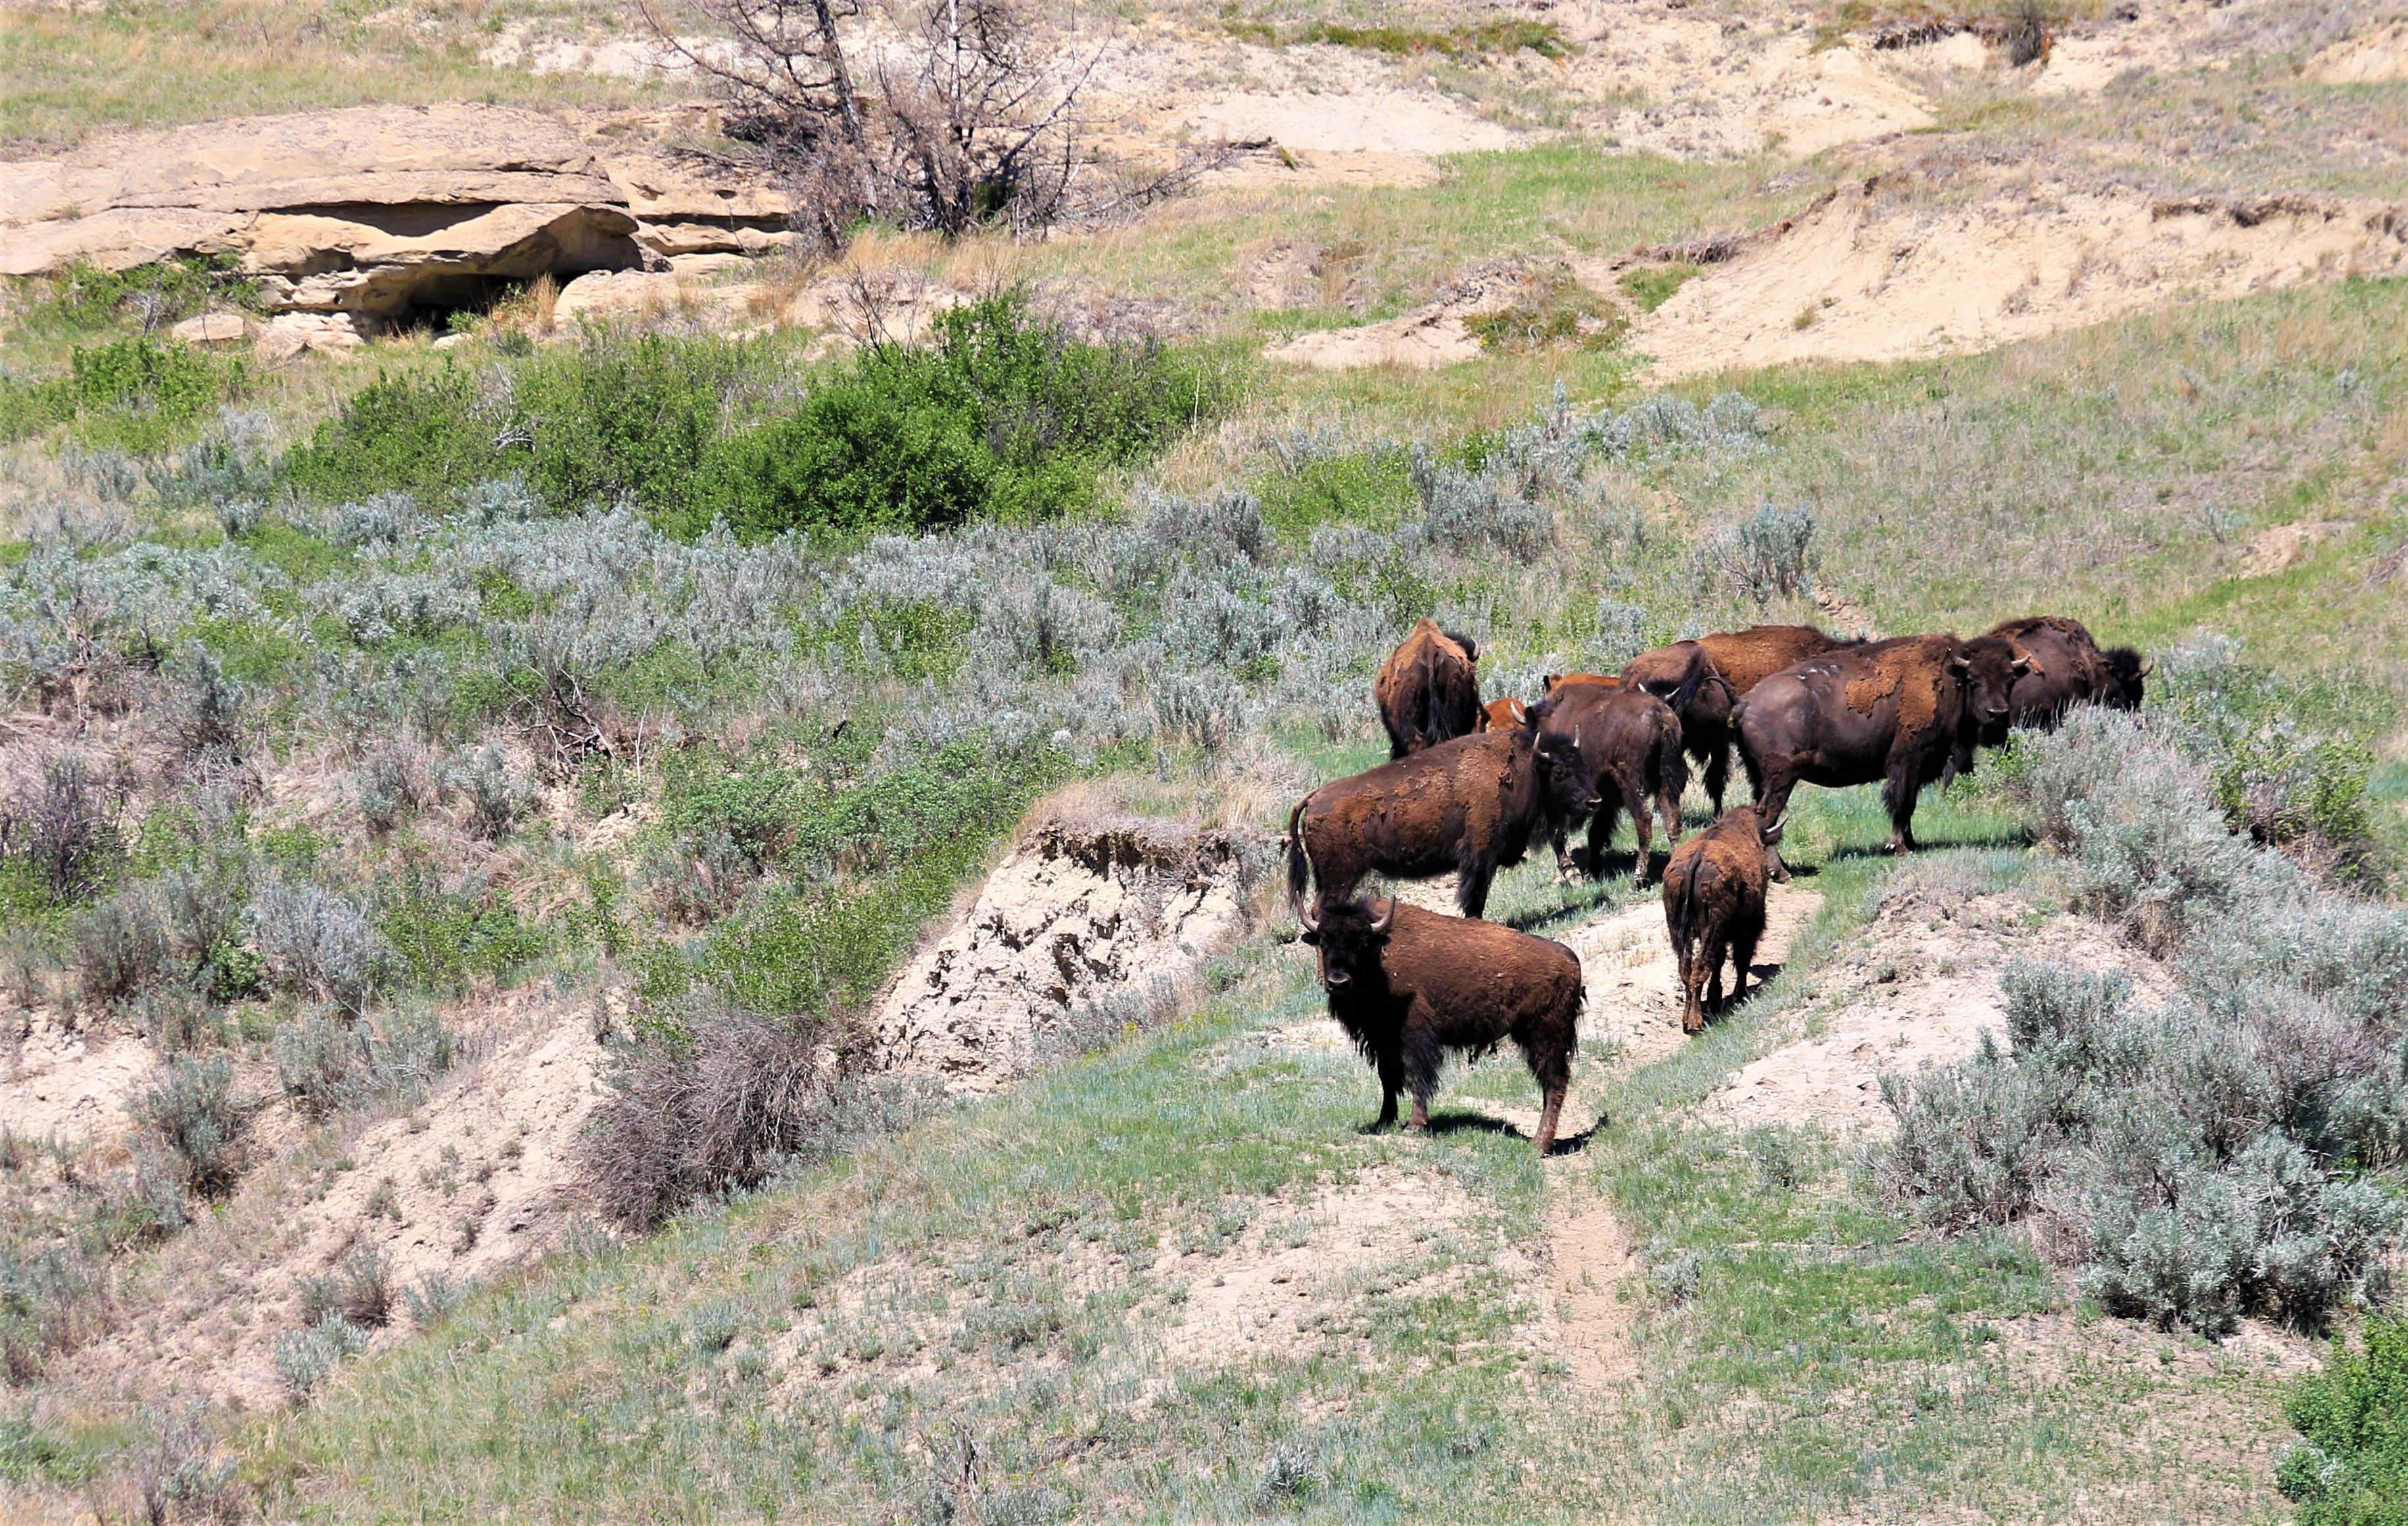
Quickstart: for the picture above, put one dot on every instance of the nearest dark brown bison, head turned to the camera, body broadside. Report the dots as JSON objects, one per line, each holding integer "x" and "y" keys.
{"x": 1407, "y": 986}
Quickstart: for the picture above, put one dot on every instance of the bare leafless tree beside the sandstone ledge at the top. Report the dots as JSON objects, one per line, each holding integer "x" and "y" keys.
{"x": 960, "y": 117}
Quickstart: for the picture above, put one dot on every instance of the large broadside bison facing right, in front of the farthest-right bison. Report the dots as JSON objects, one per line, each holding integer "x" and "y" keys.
{"x": 1899, "y": 711}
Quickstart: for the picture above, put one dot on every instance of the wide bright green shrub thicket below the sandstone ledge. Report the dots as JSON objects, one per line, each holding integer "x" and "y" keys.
{"x": 1001, "y": 420}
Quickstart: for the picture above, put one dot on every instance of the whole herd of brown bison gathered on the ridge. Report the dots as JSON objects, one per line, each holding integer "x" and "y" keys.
{"x": 1470, "y": 786}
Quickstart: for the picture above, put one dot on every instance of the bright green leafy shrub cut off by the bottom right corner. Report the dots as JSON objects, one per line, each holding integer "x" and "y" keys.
{"x": 2351, "y": 1465}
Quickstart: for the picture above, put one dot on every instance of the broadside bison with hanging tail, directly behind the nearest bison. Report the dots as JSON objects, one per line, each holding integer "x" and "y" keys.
{"x": 1465, "y": 805}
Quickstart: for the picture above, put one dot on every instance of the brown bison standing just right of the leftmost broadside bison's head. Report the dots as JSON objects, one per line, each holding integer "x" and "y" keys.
{"x": 1607, "y": 750}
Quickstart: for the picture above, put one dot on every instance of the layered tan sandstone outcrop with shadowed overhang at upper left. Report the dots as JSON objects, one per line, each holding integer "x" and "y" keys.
{"x": 377, "y": 211}
